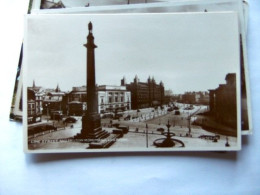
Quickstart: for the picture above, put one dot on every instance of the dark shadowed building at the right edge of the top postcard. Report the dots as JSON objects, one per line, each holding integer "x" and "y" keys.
{"x": 223, "y": 104}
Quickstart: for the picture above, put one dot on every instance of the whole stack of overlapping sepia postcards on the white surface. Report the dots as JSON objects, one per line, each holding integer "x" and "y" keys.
{"x": 133, "y": 75}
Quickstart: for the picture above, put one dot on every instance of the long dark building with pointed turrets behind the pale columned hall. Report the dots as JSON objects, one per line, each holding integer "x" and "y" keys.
{"x": 145, "y": 94}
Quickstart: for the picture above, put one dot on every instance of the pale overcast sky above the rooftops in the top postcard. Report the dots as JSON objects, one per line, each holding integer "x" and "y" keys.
{"x": 188, "y": 52}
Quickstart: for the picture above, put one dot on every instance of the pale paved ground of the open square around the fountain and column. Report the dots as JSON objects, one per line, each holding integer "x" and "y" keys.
{"x": 136, "y": 139}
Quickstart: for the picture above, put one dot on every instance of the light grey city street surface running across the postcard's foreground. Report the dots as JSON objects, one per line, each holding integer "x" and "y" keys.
{"x": 136, "y": 137}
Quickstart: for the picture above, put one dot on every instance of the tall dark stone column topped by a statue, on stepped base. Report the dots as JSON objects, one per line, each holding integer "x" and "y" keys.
{"x": 91, "y": 122}
